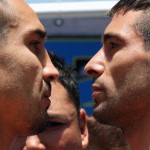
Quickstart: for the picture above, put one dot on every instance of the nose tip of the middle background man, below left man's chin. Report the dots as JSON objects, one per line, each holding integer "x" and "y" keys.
{"x": 33, "y": 143}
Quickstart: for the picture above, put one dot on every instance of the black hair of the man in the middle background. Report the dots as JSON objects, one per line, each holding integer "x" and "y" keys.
{"x": 67, "y": 77}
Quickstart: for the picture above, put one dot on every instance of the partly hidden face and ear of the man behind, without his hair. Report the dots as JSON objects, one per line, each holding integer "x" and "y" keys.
{"x": 66, "y": 131}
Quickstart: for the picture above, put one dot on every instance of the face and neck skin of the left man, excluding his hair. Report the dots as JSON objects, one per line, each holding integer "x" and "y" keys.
{"x": 25, "y": 72}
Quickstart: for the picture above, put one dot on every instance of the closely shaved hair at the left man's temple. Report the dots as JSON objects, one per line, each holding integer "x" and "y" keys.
{"x": 6, "y": 19}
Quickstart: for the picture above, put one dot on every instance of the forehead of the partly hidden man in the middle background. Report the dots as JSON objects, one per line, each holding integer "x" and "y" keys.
{"x": 61, "y": 104}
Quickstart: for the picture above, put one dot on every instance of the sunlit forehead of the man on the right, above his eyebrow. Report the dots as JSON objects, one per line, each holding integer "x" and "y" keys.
{"x": 123, "y": 25}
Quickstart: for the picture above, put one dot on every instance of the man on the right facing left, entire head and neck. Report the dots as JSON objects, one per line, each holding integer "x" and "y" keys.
{"x": 121, "y": 72}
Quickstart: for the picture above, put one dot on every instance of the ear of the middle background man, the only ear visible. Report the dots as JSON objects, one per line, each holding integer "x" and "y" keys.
{"x": 83, "y": 128}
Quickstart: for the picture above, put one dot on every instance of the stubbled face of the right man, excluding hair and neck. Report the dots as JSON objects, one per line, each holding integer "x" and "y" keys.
{"x": 121, "y": 73}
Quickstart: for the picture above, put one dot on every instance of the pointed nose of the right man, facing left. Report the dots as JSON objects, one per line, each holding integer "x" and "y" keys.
{"x": 95, "y": 67}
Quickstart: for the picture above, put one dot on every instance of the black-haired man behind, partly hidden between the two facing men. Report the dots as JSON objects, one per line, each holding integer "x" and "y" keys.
{"x": 67, "y": 128}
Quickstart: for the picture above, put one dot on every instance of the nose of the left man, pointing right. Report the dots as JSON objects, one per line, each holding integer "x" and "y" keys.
{"x": 50, "y": 73}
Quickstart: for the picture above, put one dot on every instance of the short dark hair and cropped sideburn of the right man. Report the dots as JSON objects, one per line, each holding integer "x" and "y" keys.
{"x": 143, "y": 22}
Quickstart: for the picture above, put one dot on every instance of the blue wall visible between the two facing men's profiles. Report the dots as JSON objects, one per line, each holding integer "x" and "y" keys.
{"x": 77, "y": 53}
